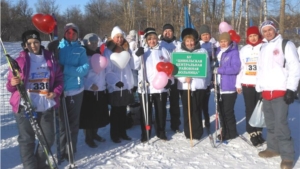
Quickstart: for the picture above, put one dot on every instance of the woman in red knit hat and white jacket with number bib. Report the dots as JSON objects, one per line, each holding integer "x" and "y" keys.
{"x": 246, "y": 80}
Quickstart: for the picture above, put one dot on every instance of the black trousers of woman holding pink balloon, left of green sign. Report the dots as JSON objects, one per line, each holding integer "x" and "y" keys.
{"x": 159, "y": 100}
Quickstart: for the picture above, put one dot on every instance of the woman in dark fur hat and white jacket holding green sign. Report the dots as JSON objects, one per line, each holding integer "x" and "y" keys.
{"x": 198, "y": 86}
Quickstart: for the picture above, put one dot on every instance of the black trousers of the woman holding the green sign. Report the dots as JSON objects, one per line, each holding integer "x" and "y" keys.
{"x": 196, "y": 98}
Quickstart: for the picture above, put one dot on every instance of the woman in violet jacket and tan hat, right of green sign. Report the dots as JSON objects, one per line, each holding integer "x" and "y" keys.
{"x": 229, "y": 67}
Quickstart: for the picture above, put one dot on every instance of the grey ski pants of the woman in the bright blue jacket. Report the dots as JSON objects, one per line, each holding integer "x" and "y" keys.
{"x": 73, "y": 104}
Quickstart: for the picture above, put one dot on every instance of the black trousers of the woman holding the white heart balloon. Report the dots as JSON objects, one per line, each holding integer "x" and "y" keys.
{"x": 118, "y": 122}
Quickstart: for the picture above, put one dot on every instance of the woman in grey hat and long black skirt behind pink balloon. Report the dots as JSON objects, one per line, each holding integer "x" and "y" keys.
{"x": 94, "y": 110}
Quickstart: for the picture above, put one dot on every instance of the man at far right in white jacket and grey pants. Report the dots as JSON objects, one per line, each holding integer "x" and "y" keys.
{"x": 278, "y": 74}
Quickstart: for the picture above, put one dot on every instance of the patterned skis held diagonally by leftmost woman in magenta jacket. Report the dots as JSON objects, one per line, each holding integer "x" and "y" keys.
{"x": 30, "y": 113}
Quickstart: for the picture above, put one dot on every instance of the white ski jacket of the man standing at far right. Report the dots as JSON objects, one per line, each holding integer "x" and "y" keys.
{"x": 276, "y": 70}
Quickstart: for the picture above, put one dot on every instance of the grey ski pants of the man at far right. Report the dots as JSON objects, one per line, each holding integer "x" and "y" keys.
{"x": 278, "y": 133}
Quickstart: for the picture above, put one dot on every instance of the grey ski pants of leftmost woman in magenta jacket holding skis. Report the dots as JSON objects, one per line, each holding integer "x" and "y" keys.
{"x": 26, "y": 138}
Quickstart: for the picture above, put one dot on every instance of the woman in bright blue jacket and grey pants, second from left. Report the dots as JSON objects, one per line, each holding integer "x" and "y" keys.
{"x": 74, "y": 61}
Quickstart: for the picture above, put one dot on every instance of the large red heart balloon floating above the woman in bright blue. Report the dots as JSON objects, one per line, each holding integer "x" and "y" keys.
{"x": 44, "y": 23}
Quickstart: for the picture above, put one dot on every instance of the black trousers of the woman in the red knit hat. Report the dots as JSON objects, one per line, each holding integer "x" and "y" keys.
{"x": 250, "y": 98}
